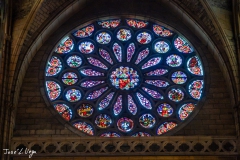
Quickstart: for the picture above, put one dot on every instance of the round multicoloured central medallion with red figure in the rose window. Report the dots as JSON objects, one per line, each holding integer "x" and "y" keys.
{"x": 124, "y": 78}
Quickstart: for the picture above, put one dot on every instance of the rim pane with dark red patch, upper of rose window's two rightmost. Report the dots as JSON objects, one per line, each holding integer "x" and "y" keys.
{"x": 194, "y": 66}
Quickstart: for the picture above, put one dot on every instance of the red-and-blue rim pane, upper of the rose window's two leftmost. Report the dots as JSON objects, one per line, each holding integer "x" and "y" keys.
{"x": 54, "y": 66}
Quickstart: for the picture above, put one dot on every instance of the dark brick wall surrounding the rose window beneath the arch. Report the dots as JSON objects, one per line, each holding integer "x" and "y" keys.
{"x": 34, "y": 118}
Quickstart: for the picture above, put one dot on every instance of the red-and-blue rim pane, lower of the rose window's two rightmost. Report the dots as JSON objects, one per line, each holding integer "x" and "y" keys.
{"x": 195, "y": 89}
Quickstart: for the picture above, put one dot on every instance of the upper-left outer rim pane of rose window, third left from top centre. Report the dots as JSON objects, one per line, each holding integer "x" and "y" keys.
{"x": 65, "y": 46}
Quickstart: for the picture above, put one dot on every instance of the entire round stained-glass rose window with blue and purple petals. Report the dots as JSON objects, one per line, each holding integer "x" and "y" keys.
{"x": 124, "y": 77}
